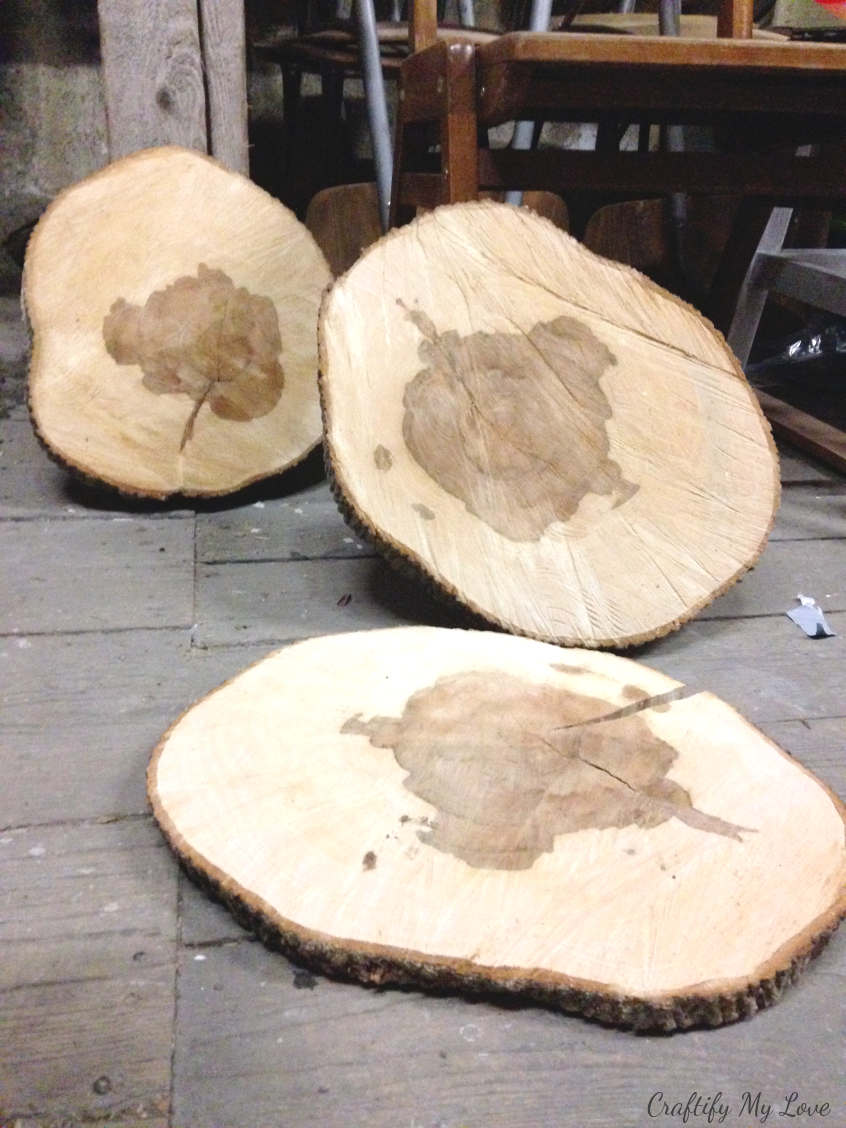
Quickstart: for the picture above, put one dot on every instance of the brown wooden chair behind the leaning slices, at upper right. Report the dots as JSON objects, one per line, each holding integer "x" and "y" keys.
{"x": 763, "y": 99}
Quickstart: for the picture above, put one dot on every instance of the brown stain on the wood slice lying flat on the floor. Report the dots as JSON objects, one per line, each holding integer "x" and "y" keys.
{"x": 509, "y": 765}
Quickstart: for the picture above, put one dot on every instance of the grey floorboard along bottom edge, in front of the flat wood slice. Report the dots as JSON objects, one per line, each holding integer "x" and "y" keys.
{"x": 252, "y": 1038}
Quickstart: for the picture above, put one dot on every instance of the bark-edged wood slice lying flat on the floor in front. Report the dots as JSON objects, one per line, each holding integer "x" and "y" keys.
{"x": 488, "y": 813}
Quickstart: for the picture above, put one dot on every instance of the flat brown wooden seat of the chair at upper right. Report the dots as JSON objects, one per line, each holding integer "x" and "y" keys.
{"x": 550, "y": 76}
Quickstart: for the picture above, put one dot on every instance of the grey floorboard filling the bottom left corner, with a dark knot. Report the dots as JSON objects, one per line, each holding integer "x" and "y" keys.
{"x": 89, "y": 930}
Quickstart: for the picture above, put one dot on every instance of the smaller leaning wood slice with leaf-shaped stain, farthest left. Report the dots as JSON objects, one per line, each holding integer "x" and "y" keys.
{"x": 174, "y": 311}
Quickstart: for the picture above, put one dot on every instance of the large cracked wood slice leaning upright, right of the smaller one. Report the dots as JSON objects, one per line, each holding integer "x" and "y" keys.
{"x": 565, "y": 447}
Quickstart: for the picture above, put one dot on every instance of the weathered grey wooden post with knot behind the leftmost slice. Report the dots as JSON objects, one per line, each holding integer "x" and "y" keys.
{"x": 154, "y": 75}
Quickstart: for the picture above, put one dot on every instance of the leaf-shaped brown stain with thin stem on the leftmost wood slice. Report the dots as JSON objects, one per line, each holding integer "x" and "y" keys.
{"x": 207, "y": 339}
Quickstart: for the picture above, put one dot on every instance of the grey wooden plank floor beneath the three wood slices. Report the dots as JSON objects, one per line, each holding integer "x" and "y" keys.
{"x": 128, "y": 998}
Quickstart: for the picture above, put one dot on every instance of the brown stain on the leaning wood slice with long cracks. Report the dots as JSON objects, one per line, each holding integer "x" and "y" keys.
{"x": 514, "y": 425}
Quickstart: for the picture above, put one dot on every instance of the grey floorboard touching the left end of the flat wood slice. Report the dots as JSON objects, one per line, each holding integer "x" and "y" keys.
{"x": 100, "y": 699}
